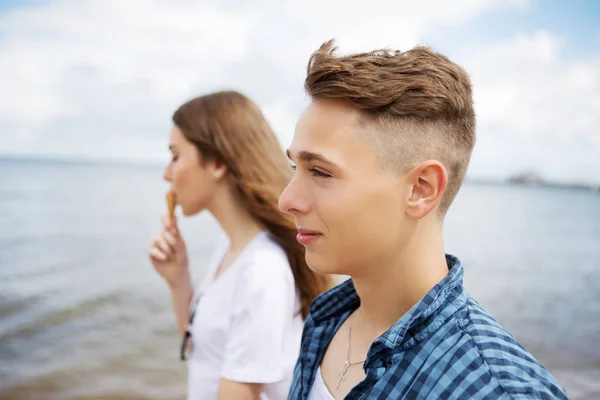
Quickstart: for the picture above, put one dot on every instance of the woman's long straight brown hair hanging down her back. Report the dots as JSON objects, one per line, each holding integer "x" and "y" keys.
{"x": 230, "y": 129}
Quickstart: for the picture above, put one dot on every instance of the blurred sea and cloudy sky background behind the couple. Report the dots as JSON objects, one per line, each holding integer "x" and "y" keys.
{"x": 87, "y": 90}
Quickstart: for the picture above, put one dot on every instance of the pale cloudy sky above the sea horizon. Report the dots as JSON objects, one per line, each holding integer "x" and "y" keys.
{"x": 100, "y": 79}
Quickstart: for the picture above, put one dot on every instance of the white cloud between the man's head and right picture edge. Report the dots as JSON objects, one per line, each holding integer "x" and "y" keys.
{"x": 537, "y": 110}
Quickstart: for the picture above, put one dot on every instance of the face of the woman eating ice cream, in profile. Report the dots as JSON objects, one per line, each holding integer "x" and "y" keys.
{"x": 193, "y": 182}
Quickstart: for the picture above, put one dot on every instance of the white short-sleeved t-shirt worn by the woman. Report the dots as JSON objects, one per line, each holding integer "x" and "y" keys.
{"x": 247, "y": 325}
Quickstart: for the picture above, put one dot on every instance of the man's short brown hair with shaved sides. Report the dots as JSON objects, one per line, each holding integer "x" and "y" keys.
{"x": 418, "y": 102}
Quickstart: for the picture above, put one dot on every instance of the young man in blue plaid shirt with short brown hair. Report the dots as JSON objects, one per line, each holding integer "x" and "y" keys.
{"x": 380, "y": 154}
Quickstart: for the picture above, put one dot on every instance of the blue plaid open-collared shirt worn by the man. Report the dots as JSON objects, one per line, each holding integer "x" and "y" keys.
{"x": 446, "y": 347}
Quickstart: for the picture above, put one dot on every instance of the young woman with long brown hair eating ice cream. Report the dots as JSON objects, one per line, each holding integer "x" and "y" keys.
{"x": 245, "y": 320}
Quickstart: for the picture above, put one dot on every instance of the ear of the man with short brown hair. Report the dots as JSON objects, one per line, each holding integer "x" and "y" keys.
{"x": 428, "y": 182}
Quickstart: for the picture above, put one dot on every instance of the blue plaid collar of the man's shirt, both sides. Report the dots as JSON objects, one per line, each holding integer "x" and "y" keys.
{"x": 439, "y": 301}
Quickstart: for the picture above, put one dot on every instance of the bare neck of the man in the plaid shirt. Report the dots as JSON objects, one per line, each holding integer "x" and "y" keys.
{"x": 389, "y": 291}
